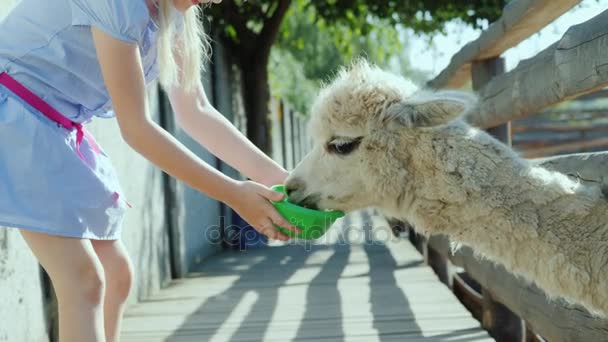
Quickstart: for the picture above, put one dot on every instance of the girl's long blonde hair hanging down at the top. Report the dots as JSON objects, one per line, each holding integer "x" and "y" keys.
{"x": 191, "y": 46}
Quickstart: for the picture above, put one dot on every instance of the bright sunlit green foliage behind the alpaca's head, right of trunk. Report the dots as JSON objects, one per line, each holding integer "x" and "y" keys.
{"x": 309, "y": 51}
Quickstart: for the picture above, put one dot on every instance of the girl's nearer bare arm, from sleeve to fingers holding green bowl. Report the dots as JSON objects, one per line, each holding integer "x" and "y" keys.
{"x": 123, "y": 75}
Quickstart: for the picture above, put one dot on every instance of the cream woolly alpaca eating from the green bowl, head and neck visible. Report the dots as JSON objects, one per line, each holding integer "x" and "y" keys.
{"x": 380, "y": 143}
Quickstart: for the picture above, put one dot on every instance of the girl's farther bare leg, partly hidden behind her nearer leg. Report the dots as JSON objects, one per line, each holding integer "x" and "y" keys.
{"x": 118, "y": 275}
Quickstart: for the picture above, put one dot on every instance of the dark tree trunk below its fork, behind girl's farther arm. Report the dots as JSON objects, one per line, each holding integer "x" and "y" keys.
{"x": 256, "y": 96}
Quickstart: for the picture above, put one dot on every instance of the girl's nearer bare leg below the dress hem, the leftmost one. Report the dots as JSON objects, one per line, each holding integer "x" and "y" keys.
{"x": 78, "y": 279}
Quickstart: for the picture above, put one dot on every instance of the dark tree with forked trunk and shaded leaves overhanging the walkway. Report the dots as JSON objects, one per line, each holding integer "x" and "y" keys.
{"x": 249, "y": 29}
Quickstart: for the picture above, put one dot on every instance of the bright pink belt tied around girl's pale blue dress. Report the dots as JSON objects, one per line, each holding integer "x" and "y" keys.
{"x": 50, "y": 112}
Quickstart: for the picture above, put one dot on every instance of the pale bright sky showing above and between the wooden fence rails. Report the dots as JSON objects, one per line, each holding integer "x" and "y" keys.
{"x": 435, "y": 58}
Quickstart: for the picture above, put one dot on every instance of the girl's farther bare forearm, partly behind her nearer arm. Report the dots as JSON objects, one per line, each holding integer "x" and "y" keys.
{"x": 197, "y": 117}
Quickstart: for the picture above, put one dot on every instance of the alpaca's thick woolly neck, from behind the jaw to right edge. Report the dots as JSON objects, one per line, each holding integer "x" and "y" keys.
{"x": 537, "y": 223}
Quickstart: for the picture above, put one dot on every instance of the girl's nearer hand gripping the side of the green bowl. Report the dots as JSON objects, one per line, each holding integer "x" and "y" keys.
{"x": 252, "y": 202}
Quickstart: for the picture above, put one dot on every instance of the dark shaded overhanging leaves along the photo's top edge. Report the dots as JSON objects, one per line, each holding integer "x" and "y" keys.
{"x": 236, "y": 17}
